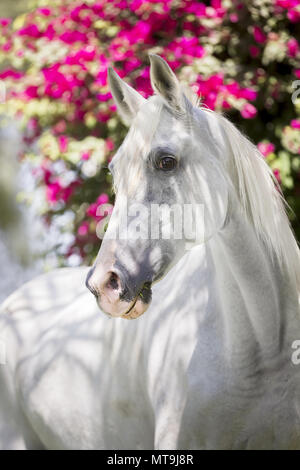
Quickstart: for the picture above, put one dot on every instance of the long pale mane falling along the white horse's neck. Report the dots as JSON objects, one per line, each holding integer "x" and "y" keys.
{"x": 261, "y": 198}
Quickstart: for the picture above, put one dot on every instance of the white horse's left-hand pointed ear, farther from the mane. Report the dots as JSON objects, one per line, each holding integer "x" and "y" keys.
{"x": 128, "y": 100}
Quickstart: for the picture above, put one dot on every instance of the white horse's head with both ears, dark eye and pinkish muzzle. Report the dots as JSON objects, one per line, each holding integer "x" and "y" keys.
{"x": 171, "y": 192}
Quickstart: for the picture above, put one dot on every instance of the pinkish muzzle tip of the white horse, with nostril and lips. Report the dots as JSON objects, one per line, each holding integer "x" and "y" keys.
{"x": 107, "y": 288}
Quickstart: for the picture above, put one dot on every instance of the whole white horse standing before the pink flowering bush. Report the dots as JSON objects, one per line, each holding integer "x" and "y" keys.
{"x": 209, "y": 365}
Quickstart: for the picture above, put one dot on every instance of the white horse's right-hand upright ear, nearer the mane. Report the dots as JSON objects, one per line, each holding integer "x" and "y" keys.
{"x": 164, "y": 81}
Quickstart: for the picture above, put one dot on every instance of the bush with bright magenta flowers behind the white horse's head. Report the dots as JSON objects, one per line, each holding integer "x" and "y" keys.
{"x": 239, "y": 57}
